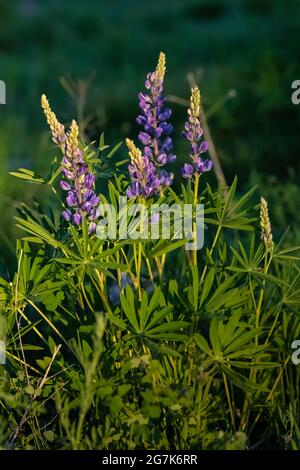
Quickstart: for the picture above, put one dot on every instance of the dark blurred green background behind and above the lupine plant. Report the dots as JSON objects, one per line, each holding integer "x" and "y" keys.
{"x": 91, "y": 58}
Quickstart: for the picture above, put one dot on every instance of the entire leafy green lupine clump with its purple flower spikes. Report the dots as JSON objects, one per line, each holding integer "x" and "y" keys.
{"x": 136, "y": 343}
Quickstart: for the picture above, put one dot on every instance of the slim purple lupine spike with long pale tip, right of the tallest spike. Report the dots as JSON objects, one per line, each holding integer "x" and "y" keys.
{"x": 193, "y": 132}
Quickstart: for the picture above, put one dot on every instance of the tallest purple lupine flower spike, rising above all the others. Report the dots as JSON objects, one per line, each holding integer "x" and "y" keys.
{"x": 155, "y": 137}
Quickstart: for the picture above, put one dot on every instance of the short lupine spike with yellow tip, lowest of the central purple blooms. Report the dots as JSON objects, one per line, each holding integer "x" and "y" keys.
{"x": 144, "y": 179}
